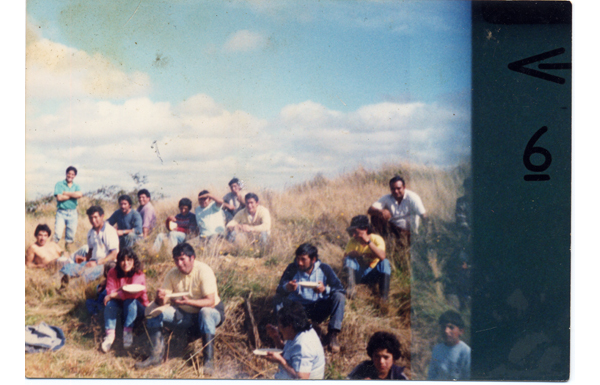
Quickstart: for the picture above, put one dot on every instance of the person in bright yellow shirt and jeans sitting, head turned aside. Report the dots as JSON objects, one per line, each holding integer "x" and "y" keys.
{"x": 364, "y": 257}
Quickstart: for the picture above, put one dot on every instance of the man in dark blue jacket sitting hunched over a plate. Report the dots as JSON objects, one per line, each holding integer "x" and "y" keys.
{"x": 314, "y": 285}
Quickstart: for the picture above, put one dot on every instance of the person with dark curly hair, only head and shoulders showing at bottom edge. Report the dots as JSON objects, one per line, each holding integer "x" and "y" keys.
{"x": 384, "y": 350}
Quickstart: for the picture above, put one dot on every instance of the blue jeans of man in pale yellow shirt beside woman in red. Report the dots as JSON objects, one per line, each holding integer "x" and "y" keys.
{"x": 208, "y": 319}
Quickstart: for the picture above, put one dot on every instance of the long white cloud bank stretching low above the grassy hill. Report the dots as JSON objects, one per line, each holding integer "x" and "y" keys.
{"x": 200, "y": 143}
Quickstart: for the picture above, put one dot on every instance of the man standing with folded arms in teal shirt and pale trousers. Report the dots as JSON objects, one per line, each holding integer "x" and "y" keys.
{"x": 66, "y": 192}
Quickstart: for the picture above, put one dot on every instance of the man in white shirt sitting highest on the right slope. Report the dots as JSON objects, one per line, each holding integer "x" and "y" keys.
{"x": 397, "y": 213}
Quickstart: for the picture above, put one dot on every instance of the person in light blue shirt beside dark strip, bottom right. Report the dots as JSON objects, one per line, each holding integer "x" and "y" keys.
{"x": 451, "y": 359}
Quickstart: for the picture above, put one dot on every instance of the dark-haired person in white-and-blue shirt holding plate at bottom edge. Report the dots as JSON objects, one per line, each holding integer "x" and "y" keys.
{"x": 303, "y": 356}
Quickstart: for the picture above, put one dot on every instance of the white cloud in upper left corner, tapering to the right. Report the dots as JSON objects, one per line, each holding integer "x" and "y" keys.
{"x": 57, "y": 71}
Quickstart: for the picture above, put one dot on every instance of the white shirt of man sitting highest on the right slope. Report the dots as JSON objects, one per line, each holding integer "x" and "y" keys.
{"x": 404, "y": 214}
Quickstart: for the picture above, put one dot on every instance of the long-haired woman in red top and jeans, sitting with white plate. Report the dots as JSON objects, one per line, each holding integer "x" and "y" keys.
{"x": 127, "y": 271}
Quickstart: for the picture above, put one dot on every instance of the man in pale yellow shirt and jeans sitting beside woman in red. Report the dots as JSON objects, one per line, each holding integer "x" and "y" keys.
{"x": 201, "y": 308}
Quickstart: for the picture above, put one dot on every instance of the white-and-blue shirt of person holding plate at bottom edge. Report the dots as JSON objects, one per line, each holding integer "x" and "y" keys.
{"x": 305, "y": 355}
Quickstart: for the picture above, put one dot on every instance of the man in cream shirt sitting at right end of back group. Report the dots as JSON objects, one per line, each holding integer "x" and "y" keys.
{"x": 252, "y": 221}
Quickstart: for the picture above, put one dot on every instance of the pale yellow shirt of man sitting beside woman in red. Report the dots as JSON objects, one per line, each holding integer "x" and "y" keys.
{"x": 200, "y": 282}
